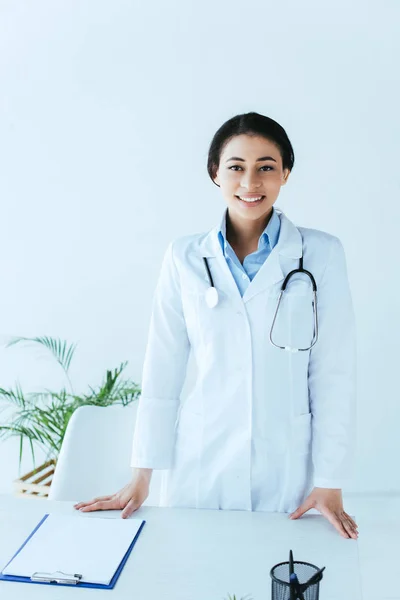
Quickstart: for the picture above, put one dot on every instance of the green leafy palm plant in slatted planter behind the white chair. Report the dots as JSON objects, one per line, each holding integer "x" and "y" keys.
{"x": 41, "y": 418}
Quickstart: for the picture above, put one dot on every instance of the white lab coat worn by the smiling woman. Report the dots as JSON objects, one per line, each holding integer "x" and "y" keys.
{"x": 261, "y": 426}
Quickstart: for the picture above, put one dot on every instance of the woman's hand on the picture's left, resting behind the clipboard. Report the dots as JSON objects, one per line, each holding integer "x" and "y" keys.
{"x": 129, "y": 498}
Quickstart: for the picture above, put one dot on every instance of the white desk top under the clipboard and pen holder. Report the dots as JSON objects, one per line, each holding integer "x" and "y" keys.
{"x": 185, "y": 554}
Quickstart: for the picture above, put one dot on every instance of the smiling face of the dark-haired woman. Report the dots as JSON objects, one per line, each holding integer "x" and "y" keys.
{"x": 241, "y": 173}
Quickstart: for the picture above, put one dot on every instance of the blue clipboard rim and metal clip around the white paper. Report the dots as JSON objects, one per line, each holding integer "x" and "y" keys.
{"x": 66, "y": 579}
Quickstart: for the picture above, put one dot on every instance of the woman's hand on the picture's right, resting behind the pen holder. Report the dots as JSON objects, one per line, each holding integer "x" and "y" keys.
{"x": 329, "y": 502}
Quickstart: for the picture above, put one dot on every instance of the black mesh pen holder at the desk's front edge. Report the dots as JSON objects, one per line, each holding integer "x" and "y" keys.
{"x": 281, "y": 581}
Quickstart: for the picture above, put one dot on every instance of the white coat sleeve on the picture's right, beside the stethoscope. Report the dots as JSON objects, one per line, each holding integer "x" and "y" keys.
{"x": 332, "y": 376}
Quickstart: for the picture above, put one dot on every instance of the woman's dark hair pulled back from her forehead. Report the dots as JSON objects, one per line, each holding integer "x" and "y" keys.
{"x": 251, "y": 124}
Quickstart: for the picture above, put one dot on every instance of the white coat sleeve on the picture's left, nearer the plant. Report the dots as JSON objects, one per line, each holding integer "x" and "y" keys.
{"x": 164, "y": 372}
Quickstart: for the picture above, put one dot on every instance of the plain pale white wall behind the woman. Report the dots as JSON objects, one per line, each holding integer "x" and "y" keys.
{"x": 106, "y": 113}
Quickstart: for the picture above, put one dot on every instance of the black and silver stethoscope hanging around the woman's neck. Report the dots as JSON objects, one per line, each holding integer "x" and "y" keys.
{"x": 211, "y": 298}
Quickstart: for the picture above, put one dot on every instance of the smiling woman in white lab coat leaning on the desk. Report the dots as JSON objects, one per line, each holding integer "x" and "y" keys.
{"x": 263, "y": 428}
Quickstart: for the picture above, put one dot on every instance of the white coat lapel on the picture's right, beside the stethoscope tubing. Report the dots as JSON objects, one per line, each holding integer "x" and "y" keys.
{"x": 279, "y": 262}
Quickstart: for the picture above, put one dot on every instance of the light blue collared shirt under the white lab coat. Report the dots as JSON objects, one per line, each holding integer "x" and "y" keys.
{"x": 245, "y": 273}
